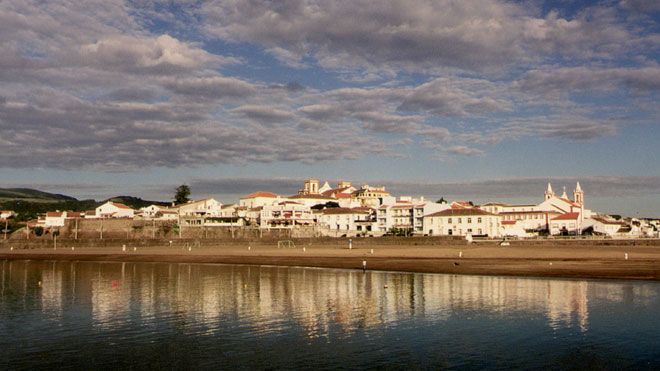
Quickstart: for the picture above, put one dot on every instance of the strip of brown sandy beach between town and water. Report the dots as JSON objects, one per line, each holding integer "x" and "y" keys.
{"x": 575, "y": 261}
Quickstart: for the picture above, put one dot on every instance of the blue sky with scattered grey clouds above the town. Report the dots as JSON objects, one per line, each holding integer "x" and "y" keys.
{"x": 486, "y": 100}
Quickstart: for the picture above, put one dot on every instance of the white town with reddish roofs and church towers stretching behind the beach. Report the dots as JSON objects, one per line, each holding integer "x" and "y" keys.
{"x": 339, "y": 210}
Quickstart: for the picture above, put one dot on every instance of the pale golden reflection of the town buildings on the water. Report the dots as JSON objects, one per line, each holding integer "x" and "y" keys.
{"x": 272, "y": 299}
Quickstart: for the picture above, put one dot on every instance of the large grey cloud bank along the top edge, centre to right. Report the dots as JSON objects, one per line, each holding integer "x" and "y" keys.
{"x": 419, "y": 35}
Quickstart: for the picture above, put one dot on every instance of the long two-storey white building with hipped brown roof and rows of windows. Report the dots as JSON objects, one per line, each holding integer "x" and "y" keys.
{"x": 462, "y": 222}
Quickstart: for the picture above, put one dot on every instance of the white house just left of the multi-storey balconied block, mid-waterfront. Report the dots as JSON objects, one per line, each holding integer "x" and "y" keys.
{"x": 348, "y": 221}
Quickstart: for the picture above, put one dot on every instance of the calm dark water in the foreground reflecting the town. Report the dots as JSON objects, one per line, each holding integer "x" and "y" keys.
{"x": 154, "y": 315}
